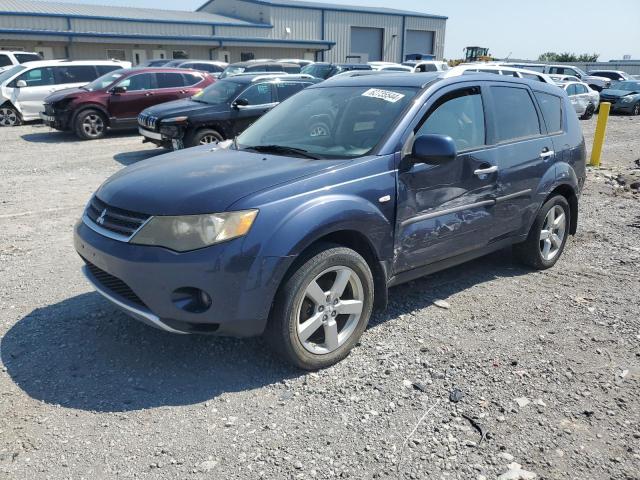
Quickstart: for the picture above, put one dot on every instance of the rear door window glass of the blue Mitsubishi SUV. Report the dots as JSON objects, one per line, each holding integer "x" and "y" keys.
{"x": 515, "y": 114}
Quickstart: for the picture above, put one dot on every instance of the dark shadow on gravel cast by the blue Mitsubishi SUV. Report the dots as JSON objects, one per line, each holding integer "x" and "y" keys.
{"x": 83, "y": 353}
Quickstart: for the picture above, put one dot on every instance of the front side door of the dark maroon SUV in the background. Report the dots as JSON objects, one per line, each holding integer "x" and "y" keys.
{"x": 140, "y": 94}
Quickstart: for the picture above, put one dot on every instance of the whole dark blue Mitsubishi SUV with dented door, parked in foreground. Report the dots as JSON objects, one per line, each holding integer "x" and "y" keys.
{"x": 297, "y": 228}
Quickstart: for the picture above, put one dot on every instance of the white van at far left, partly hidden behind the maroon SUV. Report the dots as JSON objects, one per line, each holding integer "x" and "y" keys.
{"x": 24, "y": 87}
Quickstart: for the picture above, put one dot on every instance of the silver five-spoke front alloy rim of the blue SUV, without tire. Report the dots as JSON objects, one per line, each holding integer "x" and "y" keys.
{"x": 330, "y": 310}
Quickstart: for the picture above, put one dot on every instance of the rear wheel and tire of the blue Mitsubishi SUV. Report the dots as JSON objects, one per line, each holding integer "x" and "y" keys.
{"x": 548, "y": 235}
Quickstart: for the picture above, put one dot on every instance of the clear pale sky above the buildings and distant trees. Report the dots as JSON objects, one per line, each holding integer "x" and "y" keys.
{"x": 515, "y": 28}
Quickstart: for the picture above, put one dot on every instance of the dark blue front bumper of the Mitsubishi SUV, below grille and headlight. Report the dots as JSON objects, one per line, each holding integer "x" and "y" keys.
{"x": 240, "y": 286}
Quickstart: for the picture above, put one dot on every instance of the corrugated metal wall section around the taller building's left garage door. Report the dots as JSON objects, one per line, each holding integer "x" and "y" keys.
{"x": 338, "y": 29}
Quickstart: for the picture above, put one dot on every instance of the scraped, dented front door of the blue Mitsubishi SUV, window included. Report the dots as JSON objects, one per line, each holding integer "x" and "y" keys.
{"x": 446, "y": 210}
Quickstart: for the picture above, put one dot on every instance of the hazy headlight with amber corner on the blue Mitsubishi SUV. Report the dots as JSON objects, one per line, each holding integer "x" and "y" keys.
{"x": 191, "y": 232}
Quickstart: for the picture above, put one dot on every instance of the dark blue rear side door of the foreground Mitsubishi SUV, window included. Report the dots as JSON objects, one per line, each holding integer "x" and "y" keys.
{"x": 522, "y": 152}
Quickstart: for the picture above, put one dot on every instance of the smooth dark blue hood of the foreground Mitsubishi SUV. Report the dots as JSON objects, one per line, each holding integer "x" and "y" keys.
{"x": 201, "y": 180}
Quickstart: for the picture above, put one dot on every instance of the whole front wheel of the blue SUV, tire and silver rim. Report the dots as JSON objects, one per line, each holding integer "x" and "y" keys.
{"x": 323, "y": 308}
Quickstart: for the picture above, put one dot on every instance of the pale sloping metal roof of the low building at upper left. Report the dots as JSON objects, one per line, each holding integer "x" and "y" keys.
{"x": 105, "y": 12}
